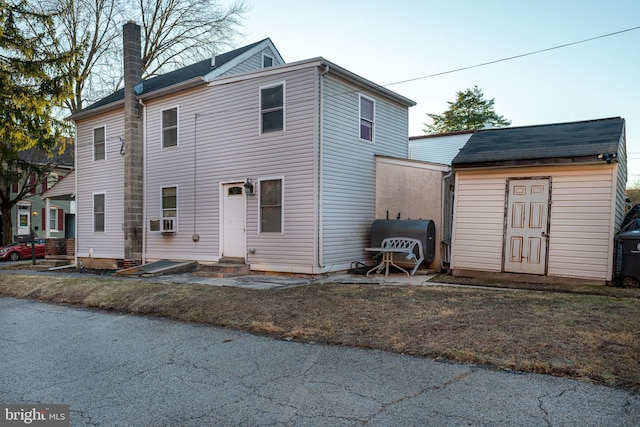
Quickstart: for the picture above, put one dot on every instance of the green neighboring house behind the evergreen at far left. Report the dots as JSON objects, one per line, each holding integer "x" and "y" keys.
{"x": 31, "y": 213}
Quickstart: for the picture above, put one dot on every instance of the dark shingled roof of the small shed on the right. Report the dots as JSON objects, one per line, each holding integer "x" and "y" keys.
{"x": 541, "y": 144}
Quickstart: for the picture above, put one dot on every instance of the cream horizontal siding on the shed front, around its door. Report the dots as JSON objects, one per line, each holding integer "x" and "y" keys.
{"x": 582, "y": 210}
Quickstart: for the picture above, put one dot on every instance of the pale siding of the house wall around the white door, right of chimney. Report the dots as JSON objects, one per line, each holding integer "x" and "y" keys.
{"x": 223, "y": 146}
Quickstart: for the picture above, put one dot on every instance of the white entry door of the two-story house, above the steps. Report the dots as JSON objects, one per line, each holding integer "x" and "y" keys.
{"x": 234, "y": 224}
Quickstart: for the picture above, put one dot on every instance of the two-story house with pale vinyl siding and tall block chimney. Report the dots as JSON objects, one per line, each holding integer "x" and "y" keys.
{"x": 242, "y": 156}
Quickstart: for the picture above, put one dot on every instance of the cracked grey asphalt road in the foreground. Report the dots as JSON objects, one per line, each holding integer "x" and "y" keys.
{"x": 121, "y": 370}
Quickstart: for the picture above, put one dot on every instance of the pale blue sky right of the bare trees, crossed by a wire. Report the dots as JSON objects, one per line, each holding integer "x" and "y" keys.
{"x": 394, "y": 41}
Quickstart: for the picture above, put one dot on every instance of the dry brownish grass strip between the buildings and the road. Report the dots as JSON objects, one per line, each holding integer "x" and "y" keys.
{"x": 591, "y": 333}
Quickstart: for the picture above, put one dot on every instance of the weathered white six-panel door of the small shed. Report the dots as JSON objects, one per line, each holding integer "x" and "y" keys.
{"x": 526, "y": 226}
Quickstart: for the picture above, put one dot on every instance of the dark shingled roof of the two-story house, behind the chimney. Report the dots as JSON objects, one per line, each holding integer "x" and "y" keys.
{"x": 199, "y": 69}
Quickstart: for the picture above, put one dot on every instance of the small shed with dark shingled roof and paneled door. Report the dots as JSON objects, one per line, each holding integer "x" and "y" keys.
{"x": 542, "y": 201}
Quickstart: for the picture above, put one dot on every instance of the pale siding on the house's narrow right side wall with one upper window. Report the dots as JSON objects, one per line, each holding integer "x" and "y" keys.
{"x": 348, "y": 173}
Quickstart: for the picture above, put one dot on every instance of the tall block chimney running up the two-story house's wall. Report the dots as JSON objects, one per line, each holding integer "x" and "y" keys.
{"x": 133, "y": 143}
